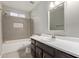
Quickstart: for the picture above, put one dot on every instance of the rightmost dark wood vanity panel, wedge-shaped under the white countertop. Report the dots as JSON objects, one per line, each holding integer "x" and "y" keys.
{"x": 60, "y": 54}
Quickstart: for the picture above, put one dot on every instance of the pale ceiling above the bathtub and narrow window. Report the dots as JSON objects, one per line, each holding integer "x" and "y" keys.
{"x": 20, "y": 5}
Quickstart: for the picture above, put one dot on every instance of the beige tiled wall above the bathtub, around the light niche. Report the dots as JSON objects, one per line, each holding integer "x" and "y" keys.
{"x": 11, "y": 33}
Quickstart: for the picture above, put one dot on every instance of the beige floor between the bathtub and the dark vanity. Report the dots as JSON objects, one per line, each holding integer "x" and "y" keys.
{"x": 18, "y": 54}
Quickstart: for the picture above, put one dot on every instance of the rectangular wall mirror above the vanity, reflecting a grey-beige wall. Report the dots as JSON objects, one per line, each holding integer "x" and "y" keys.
{"x": 56, "y": 15}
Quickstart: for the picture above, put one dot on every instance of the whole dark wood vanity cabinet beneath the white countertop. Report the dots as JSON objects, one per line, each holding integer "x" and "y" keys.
{"x": 41, "y": 50}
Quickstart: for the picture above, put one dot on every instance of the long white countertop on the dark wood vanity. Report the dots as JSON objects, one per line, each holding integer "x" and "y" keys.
{"x": 68, "y": 46}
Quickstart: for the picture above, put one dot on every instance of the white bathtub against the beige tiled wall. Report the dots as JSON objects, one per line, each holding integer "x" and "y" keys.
{"x": 14, "y": 45}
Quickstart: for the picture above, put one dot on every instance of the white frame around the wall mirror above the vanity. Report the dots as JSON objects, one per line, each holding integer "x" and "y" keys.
{"x": 56, "y": 32}
